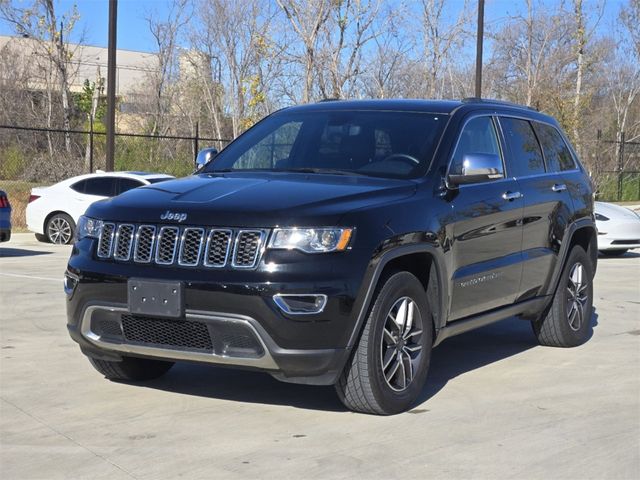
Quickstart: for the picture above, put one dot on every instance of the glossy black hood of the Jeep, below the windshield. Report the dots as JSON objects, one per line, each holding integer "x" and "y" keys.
{"x": 251, "y": 199}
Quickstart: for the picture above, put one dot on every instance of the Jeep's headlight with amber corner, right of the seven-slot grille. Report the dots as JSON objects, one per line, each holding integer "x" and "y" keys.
{"x": 311, "y": 240}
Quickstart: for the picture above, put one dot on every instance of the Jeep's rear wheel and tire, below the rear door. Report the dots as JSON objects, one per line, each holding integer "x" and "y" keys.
{"x": 568, "y": 321}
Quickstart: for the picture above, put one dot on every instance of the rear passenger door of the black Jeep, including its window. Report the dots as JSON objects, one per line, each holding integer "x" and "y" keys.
{"x": 547, "y": 203}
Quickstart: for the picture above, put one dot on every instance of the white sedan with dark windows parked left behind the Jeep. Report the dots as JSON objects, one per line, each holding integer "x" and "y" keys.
{"x": 53, "y": 212}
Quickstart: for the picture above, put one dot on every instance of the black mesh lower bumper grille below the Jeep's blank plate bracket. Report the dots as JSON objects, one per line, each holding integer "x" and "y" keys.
{"x": 178, "y": 334}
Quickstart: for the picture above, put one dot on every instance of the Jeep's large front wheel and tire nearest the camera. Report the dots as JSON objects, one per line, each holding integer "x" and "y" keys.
{"x": 367, "y": 385}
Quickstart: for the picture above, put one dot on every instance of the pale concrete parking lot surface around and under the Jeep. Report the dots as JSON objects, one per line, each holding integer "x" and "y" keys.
{"x": 496, "y": 405}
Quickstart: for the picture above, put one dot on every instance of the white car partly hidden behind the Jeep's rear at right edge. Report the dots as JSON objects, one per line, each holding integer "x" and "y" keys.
{"x": 618, "y": 229}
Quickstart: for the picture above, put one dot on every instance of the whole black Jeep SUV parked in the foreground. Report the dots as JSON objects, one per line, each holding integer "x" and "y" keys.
{"x": 337, "y": 243}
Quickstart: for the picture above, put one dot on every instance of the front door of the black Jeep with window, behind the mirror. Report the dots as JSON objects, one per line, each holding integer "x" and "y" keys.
{"x": 487, "y": 231}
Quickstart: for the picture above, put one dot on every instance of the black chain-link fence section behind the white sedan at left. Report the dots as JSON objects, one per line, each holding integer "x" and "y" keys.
{"x": 31, "y": 157}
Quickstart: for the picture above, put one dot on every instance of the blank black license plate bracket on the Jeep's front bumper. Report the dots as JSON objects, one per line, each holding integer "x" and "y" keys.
{"x": 163, "y": 298}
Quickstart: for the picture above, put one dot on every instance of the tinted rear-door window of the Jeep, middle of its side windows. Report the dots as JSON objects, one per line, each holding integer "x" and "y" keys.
{"x": 526, "y": 156}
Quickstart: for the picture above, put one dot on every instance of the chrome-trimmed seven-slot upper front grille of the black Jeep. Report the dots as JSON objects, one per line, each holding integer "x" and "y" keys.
{"x": 182, "y": 246}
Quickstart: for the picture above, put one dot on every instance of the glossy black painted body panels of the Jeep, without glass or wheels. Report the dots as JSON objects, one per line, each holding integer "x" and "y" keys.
{"x": 493, "y": 257}
